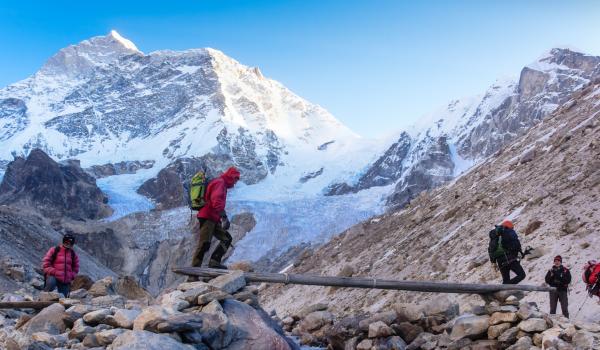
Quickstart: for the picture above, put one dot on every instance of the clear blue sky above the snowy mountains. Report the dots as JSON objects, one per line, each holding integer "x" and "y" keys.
{"x": 376, "y": 65}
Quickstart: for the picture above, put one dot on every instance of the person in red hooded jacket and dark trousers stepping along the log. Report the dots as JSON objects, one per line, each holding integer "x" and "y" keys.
{"x": 213, "y": 219}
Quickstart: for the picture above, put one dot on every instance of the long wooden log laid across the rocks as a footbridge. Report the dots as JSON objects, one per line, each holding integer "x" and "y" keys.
{"x": 365, "y": 282}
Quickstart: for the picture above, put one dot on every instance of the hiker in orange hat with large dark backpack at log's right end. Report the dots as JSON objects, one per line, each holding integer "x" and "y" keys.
{"x": 504, "y": 250}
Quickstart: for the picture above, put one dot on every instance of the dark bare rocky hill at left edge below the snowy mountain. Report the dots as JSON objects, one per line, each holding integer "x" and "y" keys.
{"x": 55, "y": 190}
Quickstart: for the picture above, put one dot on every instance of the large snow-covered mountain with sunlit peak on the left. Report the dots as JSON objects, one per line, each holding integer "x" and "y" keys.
{"x": 104, "y": 101}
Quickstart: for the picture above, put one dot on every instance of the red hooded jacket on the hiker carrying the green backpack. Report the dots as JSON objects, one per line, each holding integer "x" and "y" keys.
{"x": 216, "y": 195}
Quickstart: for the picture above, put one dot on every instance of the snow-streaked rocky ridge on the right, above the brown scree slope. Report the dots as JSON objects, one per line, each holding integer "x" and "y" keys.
{"x": 450, "y": 140}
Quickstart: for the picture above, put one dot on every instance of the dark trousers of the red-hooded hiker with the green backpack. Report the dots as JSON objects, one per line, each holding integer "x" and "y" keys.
{"x": 208, "y": 229}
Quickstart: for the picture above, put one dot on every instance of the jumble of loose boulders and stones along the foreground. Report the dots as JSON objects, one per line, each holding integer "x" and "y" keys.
{"x": 224, "y": 313}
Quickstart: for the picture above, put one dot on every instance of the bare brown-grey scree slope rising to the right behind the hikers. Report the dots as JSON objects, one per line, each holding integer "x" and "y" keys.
{"x": 547, "y": 182}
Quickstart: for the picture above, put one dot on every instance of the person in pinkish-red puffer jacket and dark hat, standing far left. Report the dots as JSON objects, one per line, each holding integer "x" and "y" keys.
{"x": 61, "y": 266}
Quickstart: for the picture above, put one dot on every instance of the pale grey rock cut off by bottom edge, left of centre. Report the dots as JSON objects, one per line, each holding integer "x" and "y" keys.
{"x": 143, "y": 340}
